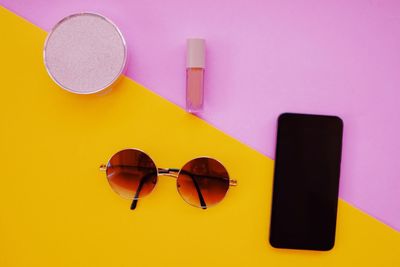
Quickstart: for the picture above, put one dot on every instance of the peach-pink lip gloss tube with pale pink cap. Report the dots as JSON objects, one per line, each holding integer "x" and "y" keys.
{"x": 195, "y": 65}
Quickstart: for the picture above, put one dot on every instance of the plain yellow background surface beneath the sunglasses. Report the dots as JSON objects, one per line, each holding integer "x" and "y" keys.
{"x": 57, "y": 209}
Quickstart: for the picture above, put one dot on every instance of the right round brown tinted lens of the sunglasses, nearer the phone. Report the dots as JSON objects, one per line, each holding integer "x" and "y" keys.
{"x": 203, "y": 182}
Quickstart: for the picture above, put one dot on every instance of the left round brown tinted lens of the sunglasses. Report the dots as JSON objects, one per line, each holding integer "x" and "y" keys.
{"x": 132, "y": 172}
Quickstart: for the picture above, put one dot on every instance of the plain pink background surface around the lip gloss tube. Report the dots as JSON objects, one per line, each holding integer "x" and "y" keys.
{"x": 337, "y": 57}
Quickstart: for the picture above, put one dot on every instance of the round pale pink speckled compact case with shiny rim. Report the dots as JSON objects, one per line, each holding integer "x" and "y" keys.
{"x": 85, "y": 53}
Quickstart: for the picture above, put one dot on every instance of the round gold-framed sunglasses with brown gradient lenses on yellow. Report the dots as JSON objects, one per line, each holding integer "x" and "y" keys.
{"x": 202, "y": 182}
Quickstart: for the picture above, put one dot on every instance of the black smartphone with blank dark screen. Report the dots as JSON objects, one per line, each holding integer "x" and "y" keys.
{"x": 306, "y": 181}
